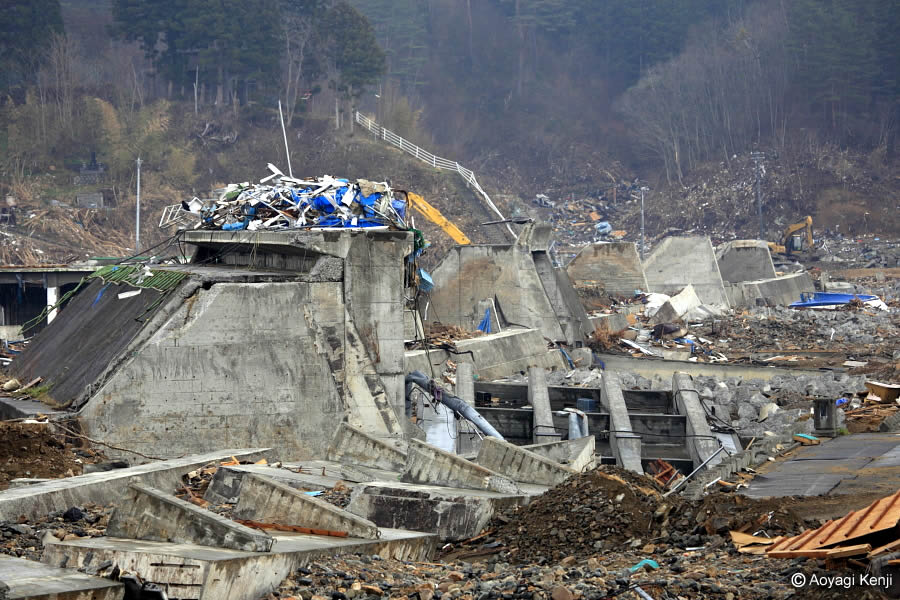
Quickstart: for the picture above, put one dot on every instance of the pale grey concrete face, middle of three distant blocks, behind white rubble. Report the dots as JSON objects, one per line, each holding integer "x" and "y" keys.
{"x": 679, "y": 261}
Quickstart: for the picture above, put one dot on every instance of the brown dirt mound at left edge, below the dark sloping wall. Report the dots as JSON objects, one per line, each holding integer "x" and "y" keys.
{"x": 33, "y": 450}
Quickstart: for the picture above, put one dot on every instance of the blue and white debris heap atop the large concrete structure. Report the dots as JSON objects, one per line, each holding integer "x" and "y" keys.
{"x": 282, "y": 202}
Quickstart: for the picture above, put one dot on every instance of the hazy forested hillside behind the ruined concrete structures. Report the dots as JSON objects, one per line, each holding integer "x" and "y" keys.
{"x": 563, "y": 97}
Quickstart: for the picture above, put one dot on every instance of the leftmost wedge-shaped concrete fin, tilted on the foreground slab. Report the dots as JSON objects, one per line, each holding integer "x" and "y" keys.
{"x": 146, "y": 513}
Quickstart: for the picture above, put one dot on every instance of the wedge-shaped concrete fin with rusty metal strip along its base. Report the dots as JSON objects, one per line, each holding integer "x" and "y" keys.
{"x": 268, "y": 501}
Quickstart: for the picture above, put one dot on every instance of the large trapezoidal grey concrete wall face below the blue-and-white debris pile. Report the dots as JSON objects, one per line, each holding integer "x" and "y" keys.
{"x": 211, "y": 376}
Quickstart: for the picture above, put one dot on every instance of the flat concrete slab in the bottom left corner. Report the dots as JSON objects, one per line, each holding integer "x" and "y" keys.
{"x": 21, "y": 579}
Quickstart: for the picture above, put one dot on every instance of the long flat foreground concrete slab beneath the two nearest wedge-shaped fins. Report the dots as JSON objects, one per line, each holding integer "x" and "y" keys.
{"x": 194, "y": 572}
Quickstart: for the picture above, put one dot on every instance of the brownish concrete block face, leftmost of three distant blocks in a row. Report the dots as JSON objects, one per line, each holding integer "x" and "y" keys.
{"x": 615, "y": 267}
